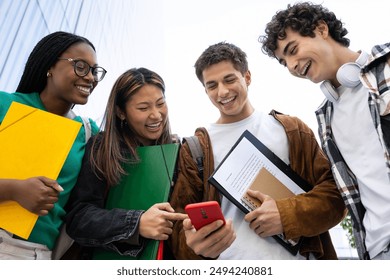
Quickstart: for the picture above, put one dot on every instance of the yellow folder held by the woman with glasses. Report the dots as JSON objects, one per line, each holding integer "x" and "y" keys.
{"x": 32, "y": 143}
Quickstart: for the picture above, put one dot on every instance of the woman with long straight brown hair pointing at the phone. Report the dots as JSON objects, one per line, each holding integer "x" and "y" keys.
{"x": 136, "y": 115}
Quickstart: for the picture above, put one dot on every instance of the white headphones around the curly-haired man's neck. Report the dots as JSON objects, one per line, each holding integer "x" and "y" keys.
{"x": 347, "y": 75}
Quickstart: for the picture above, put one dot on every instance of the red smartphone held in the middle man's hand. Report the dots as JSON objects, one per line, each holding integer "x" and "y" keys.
{"x": 204, "y": 213}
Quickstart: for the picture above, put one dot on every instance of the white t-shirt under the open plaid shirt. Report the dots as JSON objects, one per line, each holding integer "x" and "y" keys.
{"x": 358, "y": 142}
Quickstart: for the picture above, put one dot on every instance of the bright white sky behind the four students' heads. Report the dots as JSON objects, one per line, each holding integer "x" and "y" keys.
{"x": 168, "y": 39}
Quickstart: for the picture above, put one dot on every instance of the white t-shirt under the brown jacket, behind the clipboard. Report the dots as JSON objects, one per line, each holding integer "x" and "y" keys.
{"x": 248, "y": 245}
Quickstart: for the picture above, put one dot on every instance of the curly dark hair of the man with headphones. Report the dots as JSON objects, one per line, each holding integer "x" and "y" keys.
{"x": 302, "y": 17}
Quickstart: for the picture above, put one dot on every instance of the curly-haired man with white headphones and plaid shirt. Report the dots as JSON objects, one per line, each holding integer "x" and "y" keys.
{"x": 354, "y": 119}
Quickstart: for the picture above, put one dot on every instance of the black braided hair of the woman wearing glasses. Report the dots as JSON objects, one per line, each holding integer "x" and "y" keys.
{"x": 43, "y": 56}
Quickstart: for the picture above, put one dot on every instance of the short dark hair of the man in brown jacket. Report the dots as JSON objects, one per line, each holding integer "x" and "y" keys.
{"x": 221, "y": 52}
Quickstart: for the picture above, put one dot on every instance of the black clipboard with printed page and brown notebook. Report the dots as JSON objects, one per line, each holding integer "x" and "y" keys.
{"x": 250, "y": 164}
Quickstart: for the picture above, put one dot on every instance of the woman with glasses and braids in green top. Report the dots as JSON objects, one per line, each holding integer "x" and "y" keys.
{"x": 60, "y": 72}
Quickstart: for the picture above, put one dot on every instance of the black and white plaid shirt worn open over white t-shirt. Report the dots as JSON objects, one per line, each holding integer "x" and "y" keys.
{"x": 375, "y": 76}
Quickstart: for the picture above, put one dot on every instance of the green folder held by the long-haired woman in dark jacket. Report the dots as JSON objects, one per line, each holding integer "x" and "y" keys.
{"x": 148, "y": 182}
